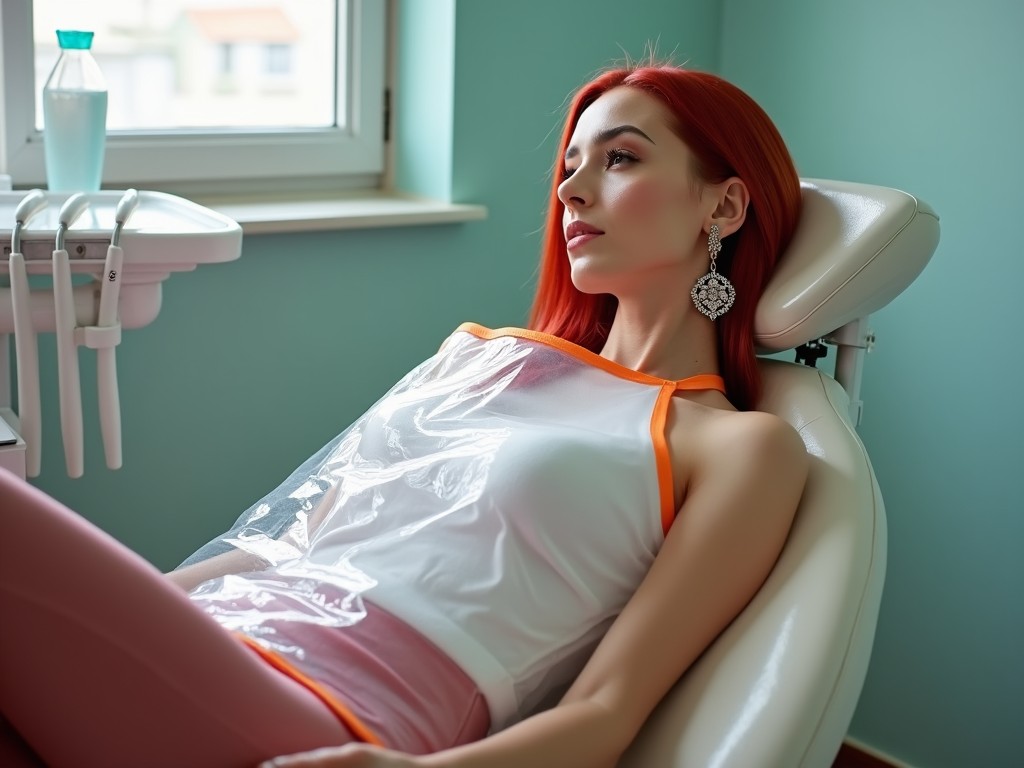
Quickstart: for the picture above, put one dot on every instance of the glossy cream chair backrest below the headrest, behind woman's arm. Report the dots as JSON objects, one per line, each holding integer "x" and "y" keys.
{"x": 779, "y": 688}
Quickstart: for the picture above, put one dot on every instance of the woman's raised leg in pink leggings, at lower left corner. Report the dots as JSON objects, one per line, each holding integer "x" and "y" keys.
{"x": 106, "y": 663}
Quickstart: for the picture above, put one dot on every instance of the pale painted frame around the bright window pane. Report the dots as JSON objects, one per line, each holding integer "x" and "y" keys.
{"x": 198, "y": 162}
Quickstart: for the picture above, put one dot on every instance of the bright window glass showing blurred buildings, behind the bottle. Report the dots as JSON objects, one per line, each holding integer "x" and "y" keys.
{"x": 205, "y": 65}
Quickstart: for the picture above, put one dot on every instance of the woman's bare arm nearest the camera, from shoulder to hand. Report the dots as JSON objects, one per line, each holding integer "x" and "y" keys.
{"x": 724, "y": 543}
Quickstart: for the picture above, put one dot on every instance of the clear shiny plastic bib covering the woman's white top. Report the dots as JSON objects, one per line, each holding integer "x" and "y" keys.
{"x": 502, "y": 499}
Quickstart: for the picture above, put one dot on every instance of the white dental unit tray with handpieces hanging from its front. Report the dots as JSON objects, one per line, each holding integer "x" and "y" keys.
{"x": 130, "y": 242}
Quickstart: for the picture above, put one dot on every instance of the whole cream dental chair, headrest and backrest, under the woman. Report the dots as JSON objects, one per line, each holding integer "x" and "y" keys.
{"x": 778, "y": 690}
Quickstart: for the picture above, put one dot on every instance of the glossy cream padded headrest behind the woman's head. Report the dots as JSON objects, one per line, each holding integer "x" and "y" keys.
{"x": 857, "y": 248}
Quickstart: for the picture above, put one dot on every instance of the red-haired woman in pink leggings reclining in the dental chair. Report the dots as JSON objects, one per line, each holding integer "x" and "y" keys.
{"x": 564, "y": 517}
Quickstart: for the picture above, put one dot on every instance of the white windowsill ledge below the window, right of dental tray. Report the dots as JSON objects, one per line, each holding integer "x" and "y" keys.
{"x": 355, "y": 210}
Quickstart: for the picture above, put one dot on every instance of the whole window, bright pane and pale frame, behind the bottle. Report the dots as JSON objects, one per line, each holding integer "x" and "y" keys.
{"x": 210, "y": 96}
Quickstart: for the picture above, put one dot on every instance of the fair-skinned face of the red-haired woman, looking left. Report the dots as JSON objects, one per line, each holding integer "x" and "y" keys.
{"x": 633, "y": 206}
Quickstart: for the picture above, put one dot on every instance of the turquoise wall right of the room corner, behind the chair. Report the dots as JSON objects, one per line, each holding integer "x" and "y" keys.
{"x": 927, "y": 97}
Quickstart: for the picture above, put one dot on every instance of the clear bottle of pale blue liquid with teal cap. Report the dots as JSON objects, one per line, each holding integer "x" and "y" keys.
{"x": 75, "y": 117}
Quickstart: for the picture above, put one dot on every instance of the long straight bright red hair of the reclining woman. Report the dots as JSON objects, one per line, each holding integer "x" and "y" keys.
{"x": 730, "y": 136}
